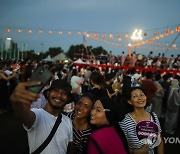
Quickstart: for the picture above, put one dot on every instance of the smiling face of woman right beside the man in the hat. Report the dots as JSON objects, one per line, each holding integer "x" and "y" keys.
{"x": 83, "y": 107}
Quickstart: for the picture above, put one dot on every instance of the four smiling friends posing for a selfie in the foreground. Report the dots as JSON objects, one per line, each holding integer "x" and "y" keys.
{"x": 96, "y": 126}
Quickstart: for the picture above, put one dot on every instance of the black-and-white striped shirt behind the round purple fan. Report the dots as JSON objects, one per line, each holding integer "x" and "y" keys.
{"x": 128, "y": 125}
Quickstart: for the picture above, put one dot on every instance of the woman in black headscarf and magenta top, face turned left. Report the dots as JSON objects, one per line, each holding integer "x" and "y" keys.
{"x": 108, "y": 137}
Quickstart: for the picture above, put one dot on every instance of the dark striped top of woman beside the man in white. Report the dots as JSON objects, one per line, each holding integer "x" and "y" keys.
{"x": 80, "y": 137}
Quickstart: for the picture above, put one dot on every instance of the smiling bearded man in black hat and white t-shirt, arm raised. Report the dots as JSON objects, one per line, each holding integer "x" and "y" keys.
{"x": 39, "y": 122}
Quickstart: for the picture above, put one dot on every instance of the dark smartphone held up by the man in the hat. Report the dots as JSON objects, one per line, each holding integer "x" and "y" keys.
{"x": 41, "y": 74}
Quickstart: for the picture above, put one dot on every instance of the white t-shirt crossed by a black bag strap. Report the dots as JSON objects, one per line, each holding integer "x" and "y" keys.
{"x": 42, "y": 127}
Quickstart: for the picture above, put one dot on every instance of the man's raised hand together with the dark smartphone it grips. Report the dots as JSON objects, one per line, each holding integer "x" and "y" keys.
{"x": 27, "y": 92}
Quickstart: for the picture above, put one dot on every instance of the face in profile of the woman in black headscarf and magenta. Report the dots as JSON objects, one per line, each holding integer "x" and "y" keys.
{"x": 98, "y": 116}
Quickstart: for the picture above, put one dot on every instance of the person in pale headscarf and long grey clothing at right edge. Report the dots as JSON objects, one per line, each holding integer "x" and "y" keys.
{"x": 173, "y": 104}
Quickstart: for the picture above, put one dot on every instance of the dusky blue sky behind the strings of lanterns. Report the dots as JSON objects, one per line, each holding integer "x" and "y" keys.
{"x": 116, "y": 17}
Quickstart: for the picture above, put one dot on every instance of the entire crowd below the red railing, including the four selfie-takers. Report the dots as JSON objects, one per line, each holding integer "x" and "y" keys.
{"x": 100, "y": 111}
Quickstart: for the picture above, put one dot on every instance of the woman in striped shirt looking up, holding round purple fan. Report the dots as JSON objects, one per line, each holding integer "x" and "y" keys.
{"x": 142, "y": 129}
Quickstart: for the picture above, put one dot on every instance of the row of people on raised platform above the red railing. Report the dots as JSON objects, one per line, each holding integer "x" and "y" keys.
{"x": 139, "y": 60}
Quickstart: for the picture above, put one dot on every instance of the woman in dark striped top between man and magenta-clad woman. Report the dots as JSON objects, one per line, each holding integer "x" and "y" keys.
{"x": 81, "y": 123}
